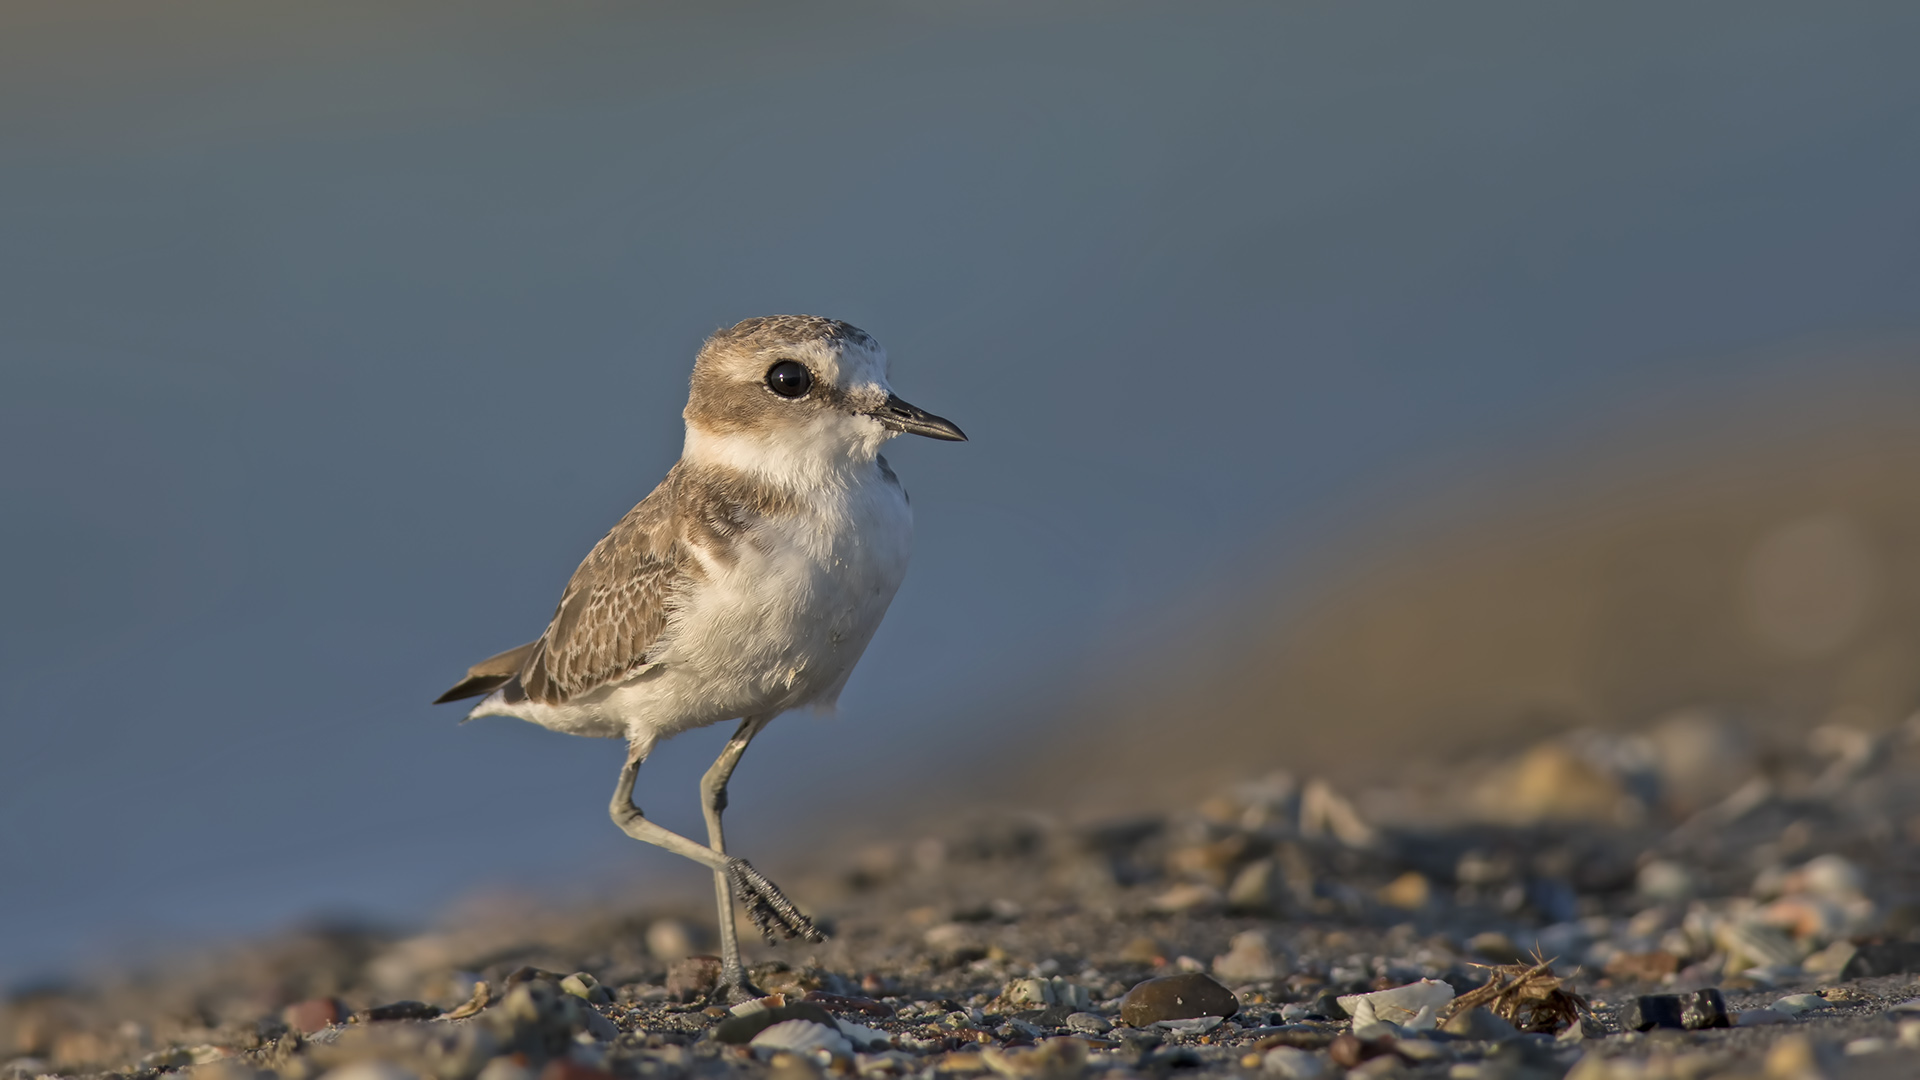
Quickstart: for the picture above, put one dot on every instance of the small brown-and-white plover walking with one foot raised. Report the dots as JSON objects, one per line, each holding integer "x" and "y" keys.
{"x": 746, "y": 585}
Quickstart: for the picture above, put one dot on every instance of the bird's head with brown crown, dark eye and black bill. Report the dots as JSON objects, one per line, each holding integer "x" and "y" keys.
{"x": 798, "y": 395}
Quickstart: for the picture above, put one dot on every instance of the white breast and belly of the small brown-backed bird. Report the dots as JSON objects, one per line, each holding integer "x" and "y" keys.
{"x": 779, "y": 626}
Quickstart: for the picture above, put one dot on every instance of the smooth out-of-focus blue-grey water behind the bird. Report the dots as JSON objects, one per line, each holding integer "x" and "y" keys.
{"x": 335, "y": 335}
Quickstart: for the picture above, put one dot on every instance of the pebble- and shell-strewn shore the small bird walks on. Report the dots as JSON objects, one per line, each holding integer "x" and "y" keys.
{"x": 1666, "y": 864}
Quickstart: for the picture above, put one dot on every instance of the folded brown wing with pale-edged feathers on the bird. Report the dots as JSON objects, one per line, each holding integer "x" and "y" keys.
{"x": 615, "y": 608}
